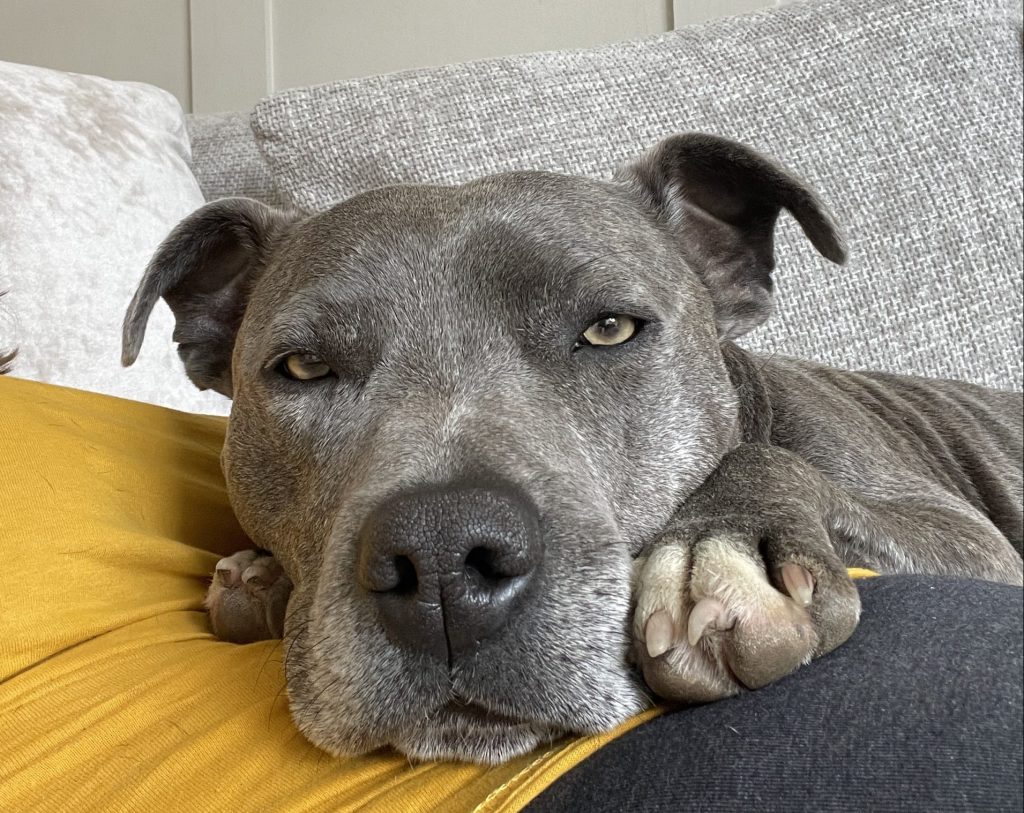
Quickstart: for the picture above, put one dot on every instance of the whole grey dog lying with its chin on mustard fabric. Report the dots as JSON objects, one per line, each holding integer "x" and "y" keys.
{"x": 502, "y": 458}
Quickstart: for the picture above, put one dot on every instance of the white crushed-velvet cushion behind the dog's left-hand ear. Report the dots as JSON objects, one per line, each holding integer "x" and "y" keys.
{"x": 94, "y": 176}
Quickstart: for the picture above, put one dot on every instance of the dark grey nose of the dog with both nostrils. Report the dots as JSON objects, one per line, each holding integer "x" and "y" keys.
{"x": 448, "y": 566}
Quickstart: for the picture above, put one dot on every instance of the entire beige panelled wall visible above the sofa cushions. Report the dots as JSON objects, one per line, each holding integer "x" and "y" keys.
{"x": 226, "y": 55}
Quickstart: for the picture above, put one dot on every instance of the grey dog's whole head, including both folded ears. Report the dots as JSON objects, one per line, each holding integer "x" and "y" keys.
{"x": 459, "y": 413}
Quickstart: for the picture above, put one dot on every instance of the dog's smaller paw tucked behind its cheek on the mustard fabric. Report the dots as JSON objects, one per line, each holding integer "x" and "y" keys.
{"x": 248, "y": 597}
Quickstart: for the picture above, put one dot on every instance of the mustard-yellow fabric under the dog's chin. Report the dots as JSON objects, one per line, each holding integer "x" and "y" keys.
{"x": 114, "y": 695}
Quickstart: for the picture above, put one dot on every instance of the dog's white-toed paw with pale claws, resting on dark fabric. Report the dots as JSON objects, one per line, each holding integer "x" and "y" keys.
{"x": 713, "y": 618}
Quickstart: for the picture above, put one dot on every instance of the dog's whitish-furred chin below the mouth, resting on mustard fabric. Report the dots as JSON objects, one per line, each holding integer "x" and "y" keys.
{"x": 458, "y": 733}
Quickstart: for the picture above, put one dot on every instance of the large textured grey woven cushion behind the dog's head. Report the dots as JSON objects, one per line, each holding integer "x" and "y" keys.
{"x": 907, "y": 116}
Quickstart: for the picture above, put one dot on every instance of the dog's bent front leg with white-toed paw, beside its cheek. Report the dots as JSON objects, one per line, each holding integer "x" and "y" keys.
{"x": 749, "y": 581}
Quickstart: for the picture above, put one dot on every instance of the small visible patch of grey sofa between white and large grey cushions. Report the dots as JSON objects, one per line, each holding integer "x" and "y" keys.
{"x": 226, "y": 161}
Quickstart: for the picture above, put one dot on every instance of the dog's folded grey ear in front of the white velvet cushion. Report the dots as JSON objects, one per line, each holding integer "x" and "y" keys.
{"x": 206, "y": 270}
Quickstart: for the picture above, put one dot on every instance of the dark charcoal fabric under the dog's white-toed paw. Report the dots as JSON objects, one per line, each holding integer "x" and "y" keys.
{"x": 920, "y": 711}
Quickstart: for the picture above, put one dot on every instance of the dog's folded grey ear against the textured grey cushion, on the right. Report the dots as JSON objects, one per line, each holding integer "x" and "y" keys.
{"x": 721, "y": 201}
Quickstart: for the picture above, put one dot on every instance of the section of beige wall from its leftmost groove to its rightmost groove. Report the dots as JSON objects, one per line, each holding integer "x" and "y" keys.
{"x": 277, "y": 45}
